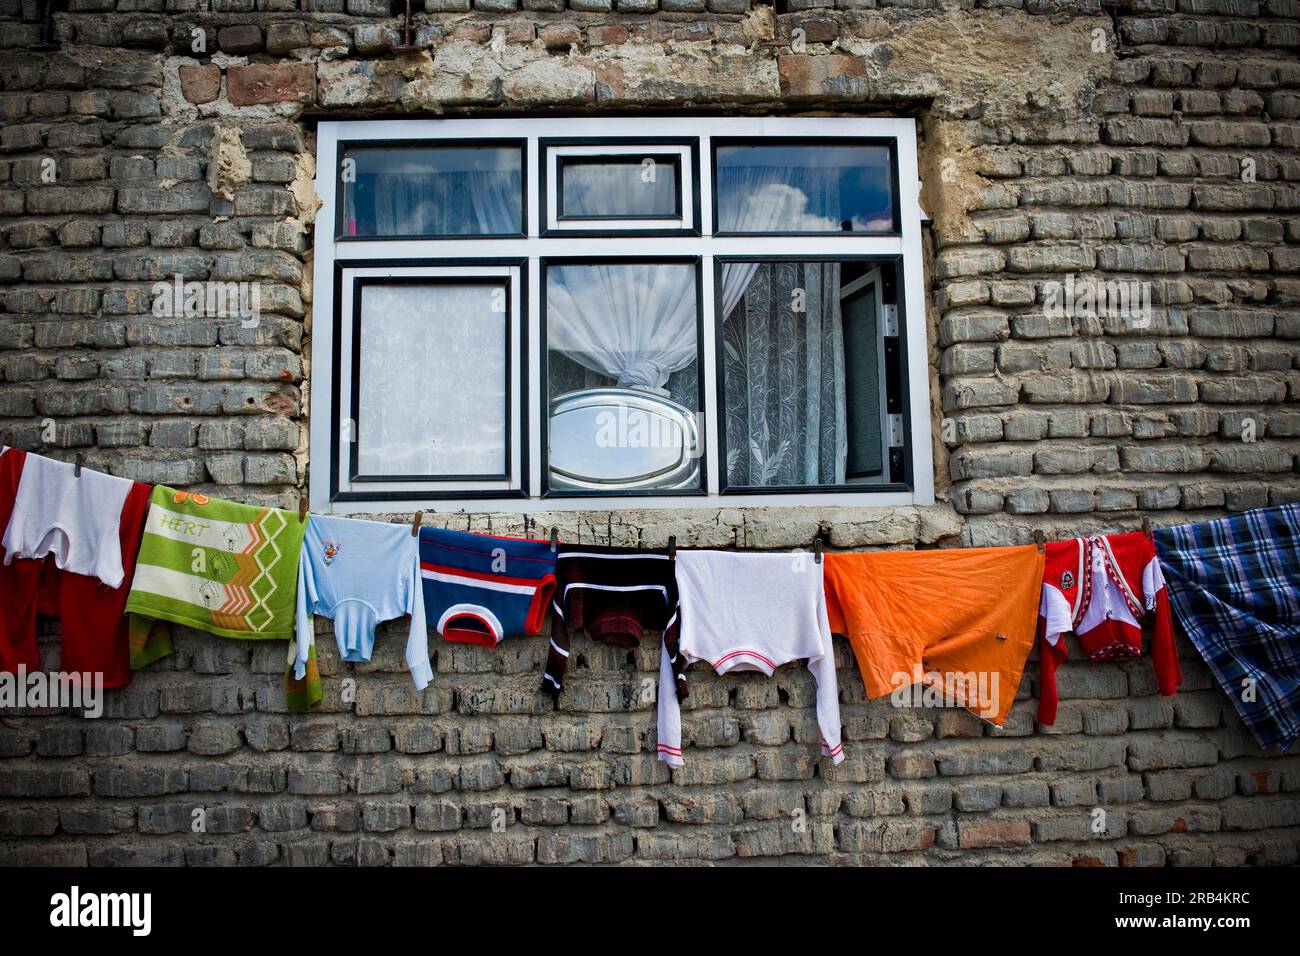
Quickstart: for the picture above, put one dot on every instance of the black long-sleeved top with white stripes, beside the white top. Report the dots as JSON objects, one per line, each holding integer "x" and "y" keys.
{"x": 616, "y": 594}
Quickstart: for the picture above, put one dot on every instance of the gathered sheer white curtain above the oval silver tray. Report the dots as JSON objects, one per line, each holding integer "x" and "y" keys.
{"x": 632, "y": 322}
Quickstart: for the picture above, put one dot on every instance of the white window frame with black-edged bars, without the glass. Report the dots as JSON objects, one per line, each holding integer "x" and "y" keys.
{"x": 335, "y": 256}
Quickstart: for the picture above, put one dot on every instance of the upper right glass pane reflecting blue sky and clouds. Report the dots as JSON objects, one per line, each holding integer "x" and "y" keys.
{"x": 804, "y": 189}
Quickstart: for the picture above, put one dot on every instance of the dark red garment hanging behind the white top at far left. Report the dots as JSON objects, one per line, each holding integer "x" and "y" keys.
{"x": 93, "y": 631}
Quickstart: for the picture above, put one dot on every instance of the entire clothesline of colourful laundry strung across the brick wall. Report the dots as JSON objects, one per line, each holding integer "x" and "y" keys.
{"x": 955, "y": 622}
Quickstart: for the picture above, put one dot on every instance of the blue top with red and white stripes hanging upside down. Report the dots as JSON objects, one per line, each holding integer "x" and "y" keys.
{"x": 479, "y": 589}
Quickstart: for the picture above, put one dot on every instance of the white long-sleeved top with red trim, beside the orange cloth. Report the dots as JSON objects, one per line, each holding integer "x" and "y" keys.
{"x": 751, "y": 613}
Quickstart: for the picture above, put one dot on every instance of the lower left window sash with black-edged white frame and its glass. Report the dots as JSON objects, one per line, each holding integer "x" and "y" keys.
{"x": 427, "y": 378}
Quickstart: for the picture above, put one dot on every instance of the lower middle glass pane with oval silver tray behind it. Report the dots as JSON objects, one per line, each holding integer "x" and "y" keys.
{"x": 623, "y": 366}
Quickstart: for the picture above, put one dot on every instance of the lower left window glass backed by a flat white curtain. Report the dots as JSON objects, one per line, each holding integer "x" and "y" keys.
{"x": 432, "y": 383}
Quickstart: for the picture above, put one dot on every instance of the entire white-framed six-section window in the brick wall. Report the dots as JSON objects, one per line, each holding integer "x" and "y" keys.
{"x": 617, "y": 325}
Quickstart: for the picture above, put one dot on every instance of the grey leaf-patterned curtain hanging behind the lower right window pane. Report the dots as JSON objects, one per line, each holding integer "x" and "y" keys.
{"x": 785, "y": 379}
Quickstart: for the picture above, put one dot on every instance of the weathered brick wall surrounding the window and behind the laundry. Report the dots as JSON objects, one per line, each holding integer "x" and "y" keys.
{"x": 1149, "y": 141}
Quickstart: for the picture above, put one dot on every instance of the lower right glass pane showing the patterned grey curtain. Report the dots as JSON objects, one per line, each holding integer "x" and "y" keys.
{"x": 801, "y": 374}
